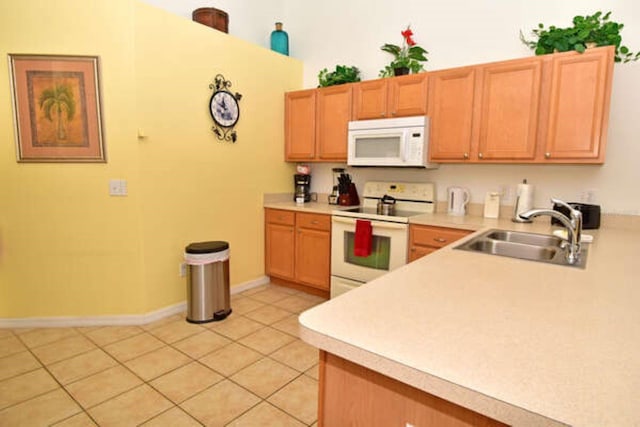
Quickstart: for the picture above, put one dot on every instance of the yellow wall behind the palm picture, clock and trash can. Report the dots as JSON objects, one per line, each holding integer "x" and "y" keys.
{"x": 67, "y": 248}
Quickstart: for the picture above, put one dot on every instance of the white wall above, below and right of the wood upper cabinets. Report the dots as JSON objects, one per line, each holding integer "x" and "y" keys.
{"x": 457, "y": 32}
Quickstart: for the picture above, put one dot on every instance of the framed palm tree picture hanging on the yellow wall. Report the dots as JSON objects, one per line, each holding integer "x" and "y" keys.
{"x": 57, "y": 108}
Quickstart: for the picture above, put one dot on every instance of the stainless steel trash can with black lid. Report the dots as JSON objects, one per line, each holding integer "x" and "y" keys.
{"x": 207, "y": 281}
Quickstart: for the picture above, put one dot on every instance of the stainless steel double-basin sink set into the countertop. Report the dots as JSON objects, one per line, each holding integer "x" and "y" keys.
{"x": 522, "y": 245}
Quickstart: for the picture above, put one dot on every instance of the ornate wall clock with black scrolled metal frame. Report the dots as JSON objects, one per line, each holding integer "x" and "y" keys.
{"x": 224, "y": 108}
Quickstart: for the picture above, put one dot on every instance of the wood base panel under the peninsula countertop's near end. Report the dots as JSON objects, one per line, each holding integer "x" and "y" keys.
{"x": 352, "y": 395}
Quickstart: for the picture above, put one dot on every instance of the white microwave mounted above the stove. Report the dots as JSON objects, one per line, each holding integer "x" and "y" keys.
{"x": 400, "y": 142}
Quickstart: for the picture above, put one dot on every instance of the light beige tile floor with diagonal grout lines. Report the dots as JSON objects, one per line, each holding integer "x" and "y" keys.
{"x": 250, "y": 369}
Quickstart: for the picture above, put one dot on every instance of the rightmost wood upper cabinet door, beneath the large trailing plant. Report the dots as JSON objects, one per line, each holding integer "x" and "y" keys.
{"x": 578, "y": 107}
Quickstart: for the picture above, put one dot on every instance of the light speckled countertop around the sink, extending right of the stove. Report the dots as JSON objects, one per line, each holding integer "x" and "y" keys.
{"x": 523, "y": 342}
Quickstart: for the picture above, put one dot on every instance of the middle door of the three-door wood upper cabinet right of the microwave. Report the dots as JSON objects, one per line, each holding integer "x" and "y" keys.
{"x": 509, "y": 106}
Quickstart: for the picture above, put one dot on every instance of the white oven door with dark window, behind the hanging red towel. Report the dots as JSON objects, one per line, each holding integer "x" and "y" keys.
{"x": 389, "y": 249}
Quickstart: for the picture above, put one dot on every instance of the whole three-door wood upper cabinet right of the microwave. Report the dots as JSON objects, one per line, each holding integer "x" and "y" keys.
{"x": 543, "y": 109}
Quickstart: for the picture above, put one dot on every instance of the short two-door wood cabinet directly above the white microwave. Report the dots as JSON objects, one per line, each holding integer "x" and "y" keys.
{"x": 390, "y": 97}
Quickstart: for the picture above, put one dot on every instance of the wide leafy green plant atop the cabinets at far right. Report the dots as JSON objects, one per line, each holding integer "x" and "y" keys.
{"x": 587, "y": 31}
